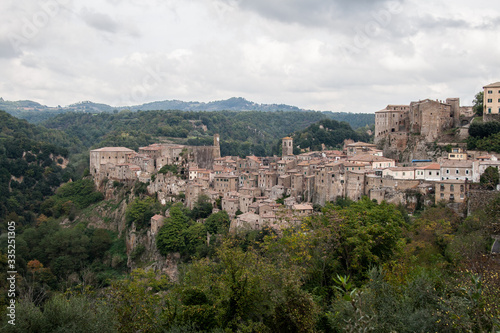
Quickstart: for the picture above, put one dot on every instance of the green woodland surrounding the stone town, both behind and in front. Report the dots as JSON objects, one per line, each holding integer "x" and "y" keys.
{"x": 355, "y": 266}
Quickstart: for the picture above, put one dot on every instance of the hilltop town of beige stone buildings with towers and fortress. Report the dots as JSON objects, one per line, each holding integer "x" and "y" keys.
{"x": 257, "y": 191}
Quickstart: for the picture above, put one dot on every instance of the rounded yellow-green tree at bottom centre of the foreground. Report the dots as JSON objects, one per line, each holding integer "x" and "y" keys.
{"x": 251, "y": 293}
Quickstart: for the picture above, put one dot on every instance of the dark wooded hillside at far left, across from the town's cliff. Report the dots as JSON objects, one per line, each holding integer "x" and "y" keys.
{"x": 33, "y": 163}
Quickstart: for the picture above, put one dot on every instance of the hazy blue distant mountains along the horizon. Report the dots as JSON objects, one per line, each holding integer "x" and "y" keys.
{"x": 35, "y": 112}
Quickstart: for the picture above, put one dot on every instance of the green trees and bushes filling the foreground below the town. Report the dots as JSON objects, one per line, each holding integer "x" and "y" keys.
{"x": 358, "y": 266}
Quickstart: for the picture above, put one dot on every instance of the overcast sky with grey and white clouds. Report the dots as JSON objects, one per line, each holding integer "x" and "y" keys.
{"x": 337, "y": 55}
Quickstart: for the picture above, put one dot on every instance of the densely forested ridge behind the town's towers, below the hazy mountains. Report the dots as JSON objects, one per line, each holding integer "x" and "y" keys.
{"x": 242, "y": 133}
